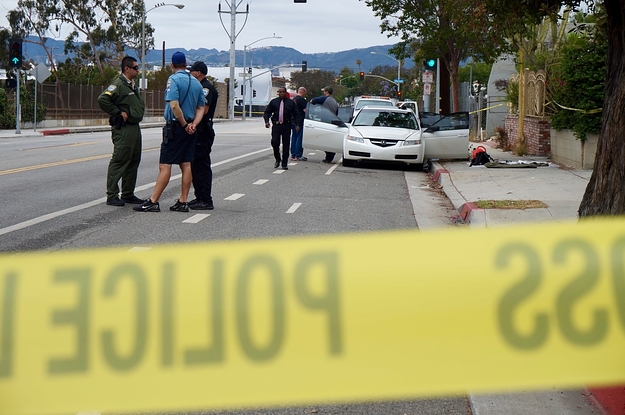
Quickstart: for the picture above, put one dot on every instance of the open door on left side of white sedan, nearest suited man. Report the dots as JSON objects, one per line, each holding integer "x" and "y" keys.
{"x": 323, "y": 130}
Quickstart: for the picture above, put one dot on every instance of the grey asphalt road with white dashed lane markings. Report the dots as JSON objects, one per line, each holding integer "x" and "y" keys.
{"x": 54, "y": 192}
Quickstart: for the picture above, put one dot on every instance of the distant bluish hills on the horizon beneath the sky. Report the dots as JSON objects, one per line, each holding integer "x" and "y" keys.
{"x": 269, "y": 56}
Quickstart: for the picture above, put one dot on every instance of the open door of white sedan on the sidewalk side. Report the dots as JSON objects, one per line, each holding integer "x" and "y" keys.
{"x": 448, "y": 137}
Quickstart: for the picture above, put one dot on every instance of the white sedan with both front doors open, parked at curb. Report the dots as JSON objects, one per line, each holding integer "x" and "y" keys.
{"x": 386, "y": 134}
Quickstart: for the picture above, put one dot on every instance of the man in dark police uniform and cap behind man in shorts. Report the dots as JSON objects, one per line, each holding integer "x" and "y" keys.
{"x": 201, "y": 164}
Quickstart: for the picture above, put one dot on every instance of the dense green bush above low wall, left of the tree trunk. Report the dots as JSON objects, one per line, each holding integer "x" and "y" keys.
{"x": 578, "y": 83}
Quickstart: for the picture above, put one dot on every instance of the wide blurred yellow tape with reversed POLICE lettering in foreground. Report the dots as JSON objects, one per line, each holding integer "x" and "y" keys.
{"x": 316, "y": 319}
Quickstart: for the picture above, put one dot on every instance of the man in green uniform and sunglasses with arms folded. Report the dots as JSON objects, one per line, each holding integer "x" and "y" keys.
{"x": 123, "y": 103}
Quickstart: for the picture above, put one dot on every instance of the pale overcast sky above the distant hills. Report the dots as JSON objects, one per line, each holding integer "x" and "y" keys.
{"x": 316, "y": 26}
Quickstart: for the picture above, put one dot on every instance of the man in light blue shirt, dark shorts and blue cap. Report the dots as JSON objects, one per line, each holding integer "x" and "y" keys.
{"x": 184, "y": 108}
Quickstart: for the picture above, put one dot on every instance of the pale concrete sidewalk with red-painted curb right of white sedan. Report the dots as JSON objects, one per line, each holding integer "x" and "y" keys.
{"x": 561, "y": 189}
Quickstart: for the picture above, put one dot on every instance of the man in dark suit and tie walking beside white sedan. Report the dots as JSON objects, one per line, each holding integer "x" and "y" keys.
{"x": 283, "y": 112}
